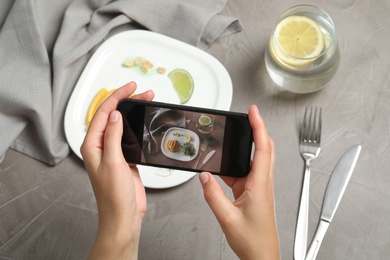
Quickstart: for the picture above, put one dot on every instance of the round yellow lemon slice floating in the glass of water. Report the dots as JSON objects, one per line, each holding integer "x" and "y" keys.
{"x": 299, "y": 41}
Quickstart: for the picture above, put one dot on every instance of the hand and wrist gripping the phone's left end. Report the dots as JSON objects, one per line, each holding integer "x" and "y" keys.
{"x": 118, "y": 189}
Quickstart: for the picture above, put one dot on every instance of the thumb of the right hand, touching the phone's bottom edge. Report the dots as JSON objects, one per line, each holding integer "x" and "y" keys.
{"x": 215, "y": 196}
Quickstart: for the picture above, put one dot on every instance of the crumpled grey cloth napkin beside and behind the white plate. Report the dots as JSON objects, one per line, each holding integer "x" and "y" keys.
{"x": 45, "y": 44}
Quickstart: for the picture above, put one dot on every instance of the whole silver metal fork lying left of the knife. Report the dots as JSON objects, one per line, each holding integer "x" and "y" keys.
{"x": 310, "y": 147}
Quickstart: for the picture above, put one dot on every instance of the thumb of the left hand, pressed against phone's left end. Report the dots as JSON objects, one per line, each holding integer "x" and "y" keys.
{"x": 113, "y": 137}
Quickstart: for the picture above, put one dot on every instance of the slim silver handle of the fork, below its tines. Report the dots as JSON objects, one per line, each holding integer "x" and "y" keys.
{"x": 300, "y": 245}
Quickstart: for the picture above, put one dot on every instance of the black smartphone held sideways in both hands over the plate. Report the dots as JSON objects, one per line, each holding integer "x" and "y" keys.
{"x": 186, "y": 138}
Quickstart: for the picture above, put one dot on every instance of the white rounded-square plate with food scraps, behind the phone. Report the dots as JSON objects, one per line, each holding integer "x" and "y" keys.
{"x": 212, "y": 86}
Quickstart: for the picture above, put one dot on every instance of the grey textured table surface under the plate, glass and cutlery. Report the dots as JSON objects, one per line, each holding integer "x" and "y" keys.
{"x": 50, "y": 212}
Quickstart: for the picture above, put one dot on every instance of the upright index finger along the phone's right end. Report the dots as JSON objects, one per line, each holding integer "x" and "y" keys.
{"x": 263, "y": 154}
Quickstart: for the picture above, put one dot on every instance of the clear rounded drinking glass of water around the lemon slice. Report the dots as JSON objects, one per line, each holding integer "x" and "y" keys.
{"x": 300, "y": 73}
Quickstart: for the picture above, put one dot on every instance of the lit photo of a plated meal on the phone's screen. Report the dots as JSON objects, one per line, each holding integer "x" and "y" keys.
{"x": 183, "y": 139}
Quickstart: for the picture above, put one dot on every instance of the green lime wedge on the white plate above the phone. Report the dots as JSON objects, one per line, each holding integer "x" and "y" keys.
{"x": 183, "y": 84}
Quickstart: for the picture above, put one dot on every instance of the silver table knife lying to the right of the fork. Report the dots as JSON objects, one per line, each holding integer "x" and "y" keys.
{"x": 334, "y": 192}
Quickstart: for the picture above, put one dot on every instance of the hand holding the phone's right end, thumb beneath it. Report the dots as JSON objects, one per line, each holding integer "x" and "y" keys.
{"x": 249, "y": 223}
